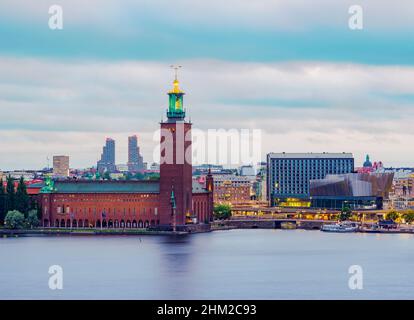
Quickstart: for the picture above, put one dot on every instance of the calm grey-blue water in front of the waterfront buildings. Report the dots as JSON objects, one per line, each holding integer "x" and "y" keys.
{"x": 235, "y": 264}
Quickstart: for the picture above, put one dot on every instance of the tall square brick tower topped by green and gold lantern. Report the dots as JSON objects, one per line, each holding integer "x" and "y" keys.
{"x": 175, "y": 162}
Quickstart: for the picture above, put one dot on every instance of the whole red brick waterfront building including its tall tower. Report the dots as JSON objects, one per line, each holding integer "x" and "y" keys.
{"x": 175, "y": 201}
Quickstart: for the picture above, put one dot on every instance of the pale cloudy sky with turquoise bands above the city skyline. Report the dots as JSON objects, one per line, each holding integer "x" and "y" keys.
{"x": 291, "y": 68}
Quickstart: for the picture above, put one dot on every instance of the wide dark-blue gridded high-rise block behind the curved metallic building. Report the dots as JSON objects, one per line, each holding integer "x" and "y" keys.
{"x": 288, "y": 174}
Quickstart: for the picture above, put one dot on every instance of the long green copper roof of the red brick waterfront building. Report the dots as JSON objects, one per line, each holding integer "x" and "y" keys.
{"x": 106, "y": 187}
